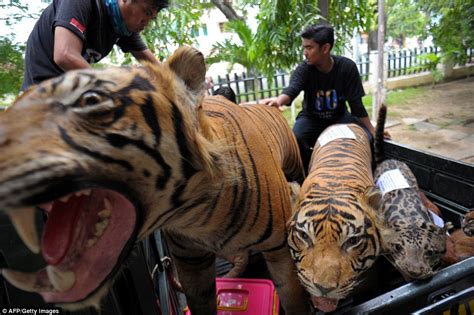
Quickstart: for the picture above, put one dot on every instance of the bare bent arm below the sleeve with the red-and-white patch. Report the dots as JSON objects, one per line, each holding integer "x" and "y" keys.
{"x": 67, "y": 50}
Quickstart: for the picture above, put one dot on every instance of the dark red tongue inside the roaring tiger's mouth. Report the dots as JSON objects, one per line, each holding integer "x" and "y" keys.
{"x": 59, "y": 229}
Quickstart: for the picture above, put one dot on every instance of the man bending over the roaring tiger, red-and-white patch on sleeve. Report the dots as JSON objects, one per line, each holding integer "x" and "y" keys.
{"x": 72, "y": 34}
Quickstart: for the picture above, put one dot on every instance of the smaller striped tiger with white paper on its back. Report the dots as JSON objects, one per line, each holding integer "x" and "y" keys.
{"x": 332, "y": 233}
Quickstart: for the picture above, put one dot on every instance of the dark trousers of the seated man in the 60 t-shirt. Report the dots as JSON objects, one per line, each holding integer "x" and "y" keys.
{"x": 307, "y": 130}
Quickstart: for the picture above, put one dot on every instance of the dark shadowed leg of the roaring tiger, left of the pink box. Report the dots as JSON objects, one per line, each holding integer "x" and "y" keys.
{"x": 196, "y": 273}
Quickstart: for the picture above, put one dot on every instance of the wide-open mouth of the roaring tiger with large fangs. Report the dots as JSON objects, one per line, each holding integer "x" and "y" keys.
{"x": 85, "y": 236}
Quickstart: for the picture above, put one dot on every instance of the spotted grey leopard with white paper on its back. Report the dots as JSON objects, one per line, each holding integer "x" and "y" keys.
{"x": 411, "y": 240}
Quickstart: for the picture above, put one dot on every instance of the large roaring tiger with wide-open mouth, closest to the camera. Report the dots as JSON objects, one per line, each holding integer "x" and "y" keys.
{"x": 111, "y": 155}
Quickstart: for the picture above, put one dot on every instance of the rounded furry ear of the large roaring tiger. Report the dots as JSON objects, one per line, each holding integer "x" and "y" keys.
{"x": 188, "y": 63}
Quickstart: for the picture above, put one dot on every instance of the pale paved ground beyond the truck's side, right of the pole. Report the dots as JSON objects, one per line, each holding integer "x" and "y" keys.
{"x": 440, "y": 121}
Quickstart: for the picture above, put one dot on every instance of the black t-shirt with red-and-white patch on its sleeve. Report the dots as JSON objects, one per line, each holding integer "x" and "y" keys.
{"x": 88, "y": 19}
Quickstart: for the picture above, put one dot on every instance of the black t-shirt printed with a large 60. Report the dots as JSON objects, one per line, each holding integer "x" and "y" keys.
{"x": 326, "y": 94}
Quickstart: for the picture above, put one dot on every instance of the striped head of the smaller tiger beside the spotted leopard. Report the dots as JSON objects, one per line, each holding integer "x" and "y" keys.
{"x": 333, "y": 240}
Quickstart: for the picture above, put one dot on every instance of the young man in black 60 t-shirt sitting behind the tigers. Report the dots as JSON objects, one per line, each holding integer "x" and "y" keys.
{"x": 328, "y": 82}
